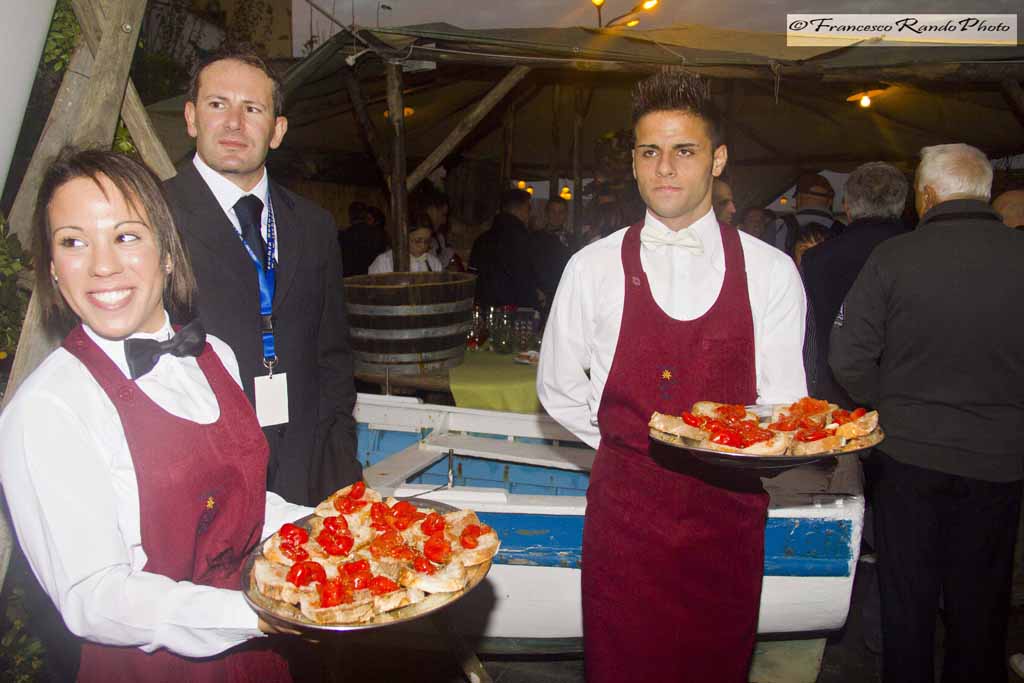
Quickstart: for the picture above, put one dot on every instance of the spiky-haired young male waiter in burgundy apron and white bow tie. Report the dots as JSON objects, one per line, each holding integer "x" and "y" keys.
{"x": 654, "y": 318}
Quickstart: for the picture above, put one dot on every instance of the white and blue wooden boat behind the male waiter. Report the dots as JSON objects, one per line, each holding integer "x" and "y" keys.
{"x": 528, "y": 478}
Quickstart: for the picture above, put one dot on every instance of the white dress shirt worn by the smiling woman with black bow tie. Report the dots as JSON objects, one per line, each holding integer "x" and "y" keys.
{"x": 71, "y": 488}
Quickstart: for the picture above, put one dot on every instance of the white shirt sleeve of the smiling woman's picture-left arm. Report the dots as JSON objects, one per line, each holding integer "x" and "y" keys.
{"x": 61, "y": 495}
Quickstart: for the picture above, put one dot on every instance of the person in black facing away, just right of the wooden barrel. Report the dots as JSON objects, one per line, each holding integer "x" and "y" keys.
{"x": 503, "y": 257}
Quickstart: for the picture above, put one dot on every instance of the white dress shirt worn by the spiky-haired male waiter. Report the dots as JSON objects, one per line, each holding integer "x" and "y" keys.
{"x": 586, "y": 317}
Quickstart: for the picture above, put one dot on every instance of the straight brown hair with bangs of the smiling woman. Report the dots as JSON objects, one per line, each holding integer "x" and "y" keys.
{"x": 142, "y": 191}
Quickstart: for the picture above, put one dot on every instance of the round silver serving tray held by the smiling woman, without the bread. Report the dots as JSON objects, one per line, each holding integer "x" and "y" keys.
{"x": 286, "y": 616}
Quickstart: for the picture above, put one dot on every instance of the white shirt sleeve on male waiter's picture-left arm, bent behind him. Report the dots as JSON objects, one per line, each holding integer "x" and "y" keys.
{"x": 563, "y": 383}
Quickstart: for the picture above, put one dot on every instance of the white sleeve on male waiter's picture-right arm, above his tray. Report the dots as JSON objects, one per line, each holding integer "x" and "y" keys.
{"x": 780, "y": 337}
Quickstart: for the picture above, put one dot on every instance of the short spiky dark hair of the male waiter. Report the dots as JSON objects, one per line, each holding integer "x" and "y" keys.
{"x": 674, "y": 90}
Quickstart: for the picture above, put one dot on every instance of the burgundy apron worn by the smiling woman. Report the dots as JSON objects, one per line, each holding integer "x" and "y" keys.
{"x": 202, "y": 492}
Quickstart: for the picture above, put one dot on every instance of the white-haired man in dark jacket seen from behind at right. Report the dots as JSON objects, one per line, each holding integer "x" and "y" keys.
{"x": 932, "y": 334}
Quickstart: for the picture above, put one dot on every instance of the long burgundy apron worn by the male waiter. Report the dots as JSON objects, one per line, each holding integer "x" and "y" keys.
{"x": 673, "y": 552}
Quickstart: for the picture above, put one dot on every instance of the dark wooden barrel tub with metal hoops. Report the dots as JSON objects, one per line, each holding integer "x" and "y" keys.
{"x": 409, "y": 323}
